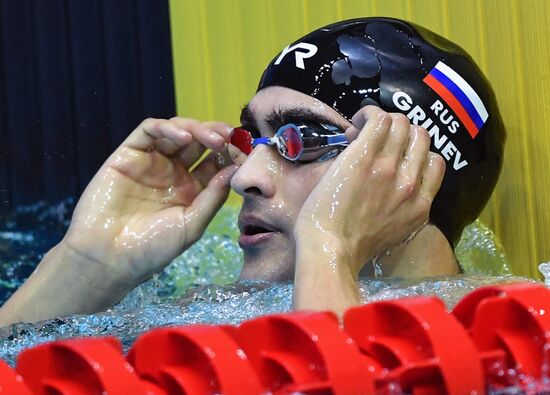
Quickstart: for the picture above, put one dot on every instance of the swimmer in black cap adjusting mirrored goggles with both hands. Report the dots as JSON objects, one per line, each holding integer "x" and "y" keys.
{"x": 333, "y": 163}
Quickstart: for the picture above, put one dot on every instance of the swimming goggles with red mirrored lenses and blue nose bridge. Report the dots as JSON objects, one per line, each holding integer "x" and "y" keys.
{"x": 307, "y": 142}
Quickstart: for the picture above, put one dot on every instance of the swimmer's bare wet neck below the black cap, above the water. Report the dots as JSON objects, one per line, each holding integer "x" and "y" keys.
{"x": 428, "y": 254}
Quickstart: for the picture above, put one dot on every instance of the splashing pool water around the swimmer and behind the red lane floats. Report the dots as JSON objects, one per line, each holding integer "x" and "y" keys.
{"x": 199, "y": 286}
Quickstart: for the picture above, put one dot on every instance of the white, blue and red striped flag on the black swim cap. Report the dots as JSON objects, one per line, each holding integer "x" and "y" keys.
{"x": 459, "y": 95}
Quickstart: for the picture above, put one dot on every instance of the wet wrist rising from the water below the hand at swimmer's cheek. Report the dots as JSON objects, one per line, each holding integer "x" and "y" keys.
{"x": 323, "y": 278}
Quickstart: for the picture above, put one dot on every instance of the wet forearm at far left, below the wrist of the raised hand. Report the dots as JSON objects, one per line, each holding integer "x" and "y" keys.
{"x": 65, "y": 282}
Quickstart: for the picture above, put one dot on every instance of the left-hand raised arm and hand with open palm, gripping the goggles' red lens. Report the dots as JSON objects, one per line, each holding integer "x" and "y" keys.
{"x": 148, "y": 203}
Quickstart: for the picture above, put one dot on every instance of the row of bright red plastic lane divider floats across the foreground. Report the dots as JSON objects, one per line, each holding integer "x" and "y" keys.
{"x": 496, "y": 337}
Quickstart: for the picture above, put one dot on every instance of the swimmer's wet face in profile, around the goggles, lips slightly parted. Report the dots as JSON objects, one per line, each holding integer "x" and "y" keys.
{"x": 274, "y": 189}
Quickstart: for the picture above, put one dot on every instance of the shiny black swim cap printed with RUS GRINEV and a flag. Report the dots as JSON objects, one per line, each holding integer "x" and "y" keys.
{"x": 405, "y": 68}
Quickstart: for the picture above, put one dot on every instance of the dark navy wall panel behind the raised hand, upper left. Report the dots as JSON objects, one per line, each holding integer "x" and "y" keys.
{"x": 76, "y": 76}
